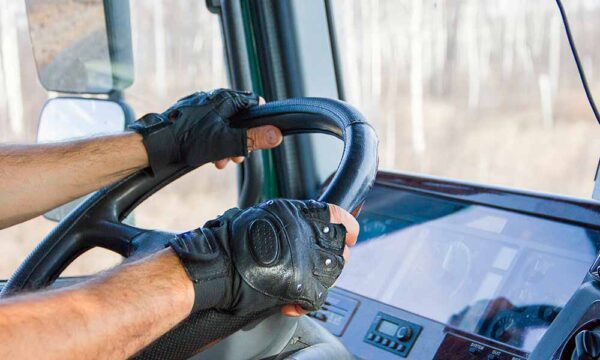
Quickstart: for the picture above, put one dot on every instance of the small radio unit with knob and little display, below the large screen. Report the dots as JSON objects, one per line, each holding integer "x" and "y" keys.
{"x": 392, "y": 334}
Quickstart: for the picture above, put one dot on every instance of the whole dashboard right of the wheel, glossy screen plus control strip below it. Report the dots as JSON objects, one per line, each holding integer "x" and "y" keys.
{"x": 441, "y": 277}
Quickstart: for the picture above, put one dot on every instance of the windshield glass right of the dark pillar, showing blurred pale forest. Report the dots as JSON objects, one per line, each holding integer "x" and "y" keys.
{"x": 484, "y": 91}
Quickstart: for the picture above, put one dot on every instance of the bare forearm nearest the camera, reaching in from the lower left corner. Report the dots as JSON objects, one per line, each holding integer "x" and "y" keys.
{"x": 111, "y": 317}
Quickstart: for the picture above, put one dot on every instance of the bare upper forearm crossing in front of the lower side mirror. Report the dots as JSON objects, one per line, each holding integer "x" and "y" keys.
{"x": 37, "y": 178}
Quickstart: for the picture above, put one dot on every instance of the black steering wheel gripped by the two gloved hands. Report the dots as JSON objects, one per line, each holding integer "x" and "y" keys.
{"x": 97, "y": 222}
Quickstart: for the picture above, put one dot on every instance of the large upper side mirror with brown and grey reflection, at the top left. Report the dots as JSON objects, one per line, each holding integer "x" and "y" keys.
{"x": 81, "y": 46}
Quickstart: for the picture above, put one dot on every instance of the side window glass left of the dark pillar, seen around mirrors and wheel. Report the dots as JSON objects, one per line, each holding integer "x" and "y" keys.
{"x": 177, "y": 50}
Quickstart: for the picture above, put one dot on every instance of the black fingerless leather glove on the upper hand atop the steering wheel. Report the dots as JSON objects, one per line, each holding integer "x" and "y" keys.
{"x": 196, "y": 129}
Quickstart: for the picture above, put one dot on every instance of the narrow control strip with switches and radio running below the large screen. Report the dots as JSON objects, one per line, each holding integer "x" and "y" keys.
{"x": 372, "y": 330}
